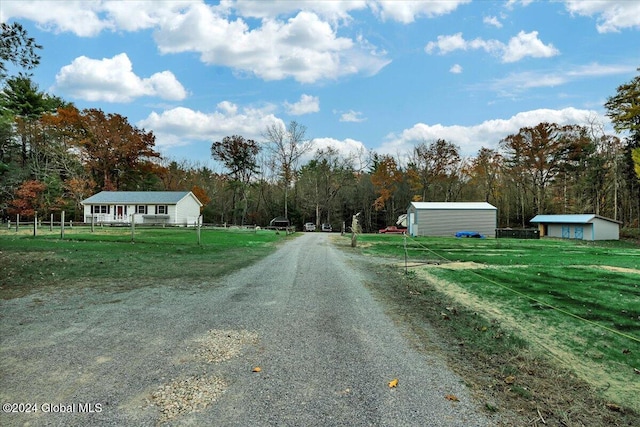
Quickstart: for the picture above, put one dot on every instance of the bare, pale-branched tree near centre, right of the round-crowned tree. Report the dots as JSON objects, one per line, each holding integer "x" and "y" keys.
{"x": 287, "y": 146}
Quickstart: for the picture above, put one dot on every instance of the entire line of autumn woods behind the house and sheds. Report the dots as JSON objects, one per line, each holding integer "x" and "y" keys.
{"x": 53, "y": 155}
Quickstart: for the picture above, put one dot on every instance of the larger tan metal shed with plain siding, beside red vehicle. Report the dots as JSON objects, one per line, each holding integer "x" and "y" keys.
{"x": 447, "y": 218}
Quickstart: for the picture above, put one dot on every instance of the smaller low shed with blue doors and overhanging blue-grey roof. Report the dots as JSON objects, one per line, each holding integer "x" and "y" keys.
{"x": 579, "y": 226}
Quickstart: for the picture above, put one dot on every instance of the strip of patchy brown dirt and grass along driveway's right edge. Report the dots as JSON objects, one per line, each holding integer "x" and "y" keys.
{"x": 509, "y": 368}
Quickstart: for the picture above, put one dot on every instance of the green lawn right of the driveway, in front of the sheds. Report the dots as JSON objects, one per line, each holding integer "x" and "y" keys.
{"x": 578, "y": 302}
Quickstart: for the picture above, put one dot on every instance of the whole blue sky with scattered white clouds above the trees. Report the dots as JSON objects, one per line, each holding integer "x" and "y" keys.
{"x": 361, "y": 75}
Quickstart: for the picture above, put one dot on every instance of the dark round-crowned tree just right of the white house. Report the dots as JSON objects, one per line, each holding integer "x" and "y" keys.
{"x": 239, "y": 157}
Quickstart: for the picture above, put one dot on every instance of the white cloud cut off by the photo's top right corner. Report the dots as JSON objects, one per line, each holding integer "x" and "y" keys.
{"x": 612, "y": 15}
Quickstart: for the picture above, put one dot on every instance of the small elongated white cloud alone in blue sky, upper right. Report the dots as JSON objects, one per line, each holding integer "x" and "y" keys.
{"x": 519, "y": 47}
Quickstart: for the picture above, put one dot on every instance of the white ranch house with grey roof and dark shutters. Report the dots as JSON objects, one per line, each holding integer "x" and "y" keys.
{"x": 142, "y": 207}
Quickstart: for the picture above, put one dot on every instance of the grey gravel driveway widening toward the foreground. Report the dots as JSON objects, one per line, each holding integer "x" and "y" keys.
{"x": 173, "y": 354}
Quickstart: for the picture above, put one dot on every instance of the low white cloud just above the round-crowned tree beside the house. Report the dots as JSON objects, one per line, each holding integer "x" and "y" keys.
{"x": 182, "y": 126}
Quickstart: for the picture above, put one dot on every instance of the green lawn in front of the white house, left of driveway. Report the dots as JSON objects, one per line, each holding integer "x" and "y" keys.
{"x": 108, "y": 257}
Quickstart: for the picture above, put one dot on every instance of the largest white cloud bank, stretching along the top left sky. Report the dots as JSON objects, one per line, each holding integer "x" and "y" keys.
{"x": 305, "y": 47}
